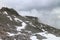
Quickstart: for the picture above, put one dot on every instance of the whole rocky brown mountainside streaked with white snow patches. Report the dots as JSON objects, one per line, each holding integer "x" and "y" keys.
{"x": 16, "y": 27}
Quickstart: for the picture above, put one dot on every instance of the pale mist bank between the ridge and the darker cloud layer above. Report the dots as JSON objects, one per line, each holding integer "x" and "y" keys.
{"x": 50, "y": 17}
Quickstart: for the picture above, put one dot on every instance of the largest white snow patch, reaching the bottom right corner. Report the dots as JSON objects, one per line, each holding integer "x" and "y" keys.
{"x": 49, "y": 36}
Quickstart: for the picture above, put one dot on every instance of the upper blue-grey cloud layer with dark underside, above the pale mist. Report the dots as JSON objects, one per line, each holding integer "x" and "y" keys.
{"x": 31, "y": 4}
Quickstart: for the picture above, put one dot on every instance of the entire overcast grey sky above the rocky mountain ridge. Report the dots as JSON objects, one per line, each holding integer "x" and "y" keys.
{"x": 48, "y": 11}
